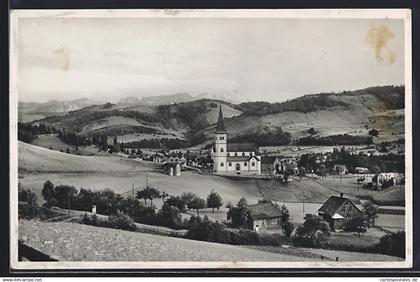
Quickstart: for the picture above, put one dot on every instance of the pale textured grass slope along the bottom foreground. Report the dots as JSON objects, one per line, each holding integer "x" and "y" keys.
{"x": 77, "y": 242}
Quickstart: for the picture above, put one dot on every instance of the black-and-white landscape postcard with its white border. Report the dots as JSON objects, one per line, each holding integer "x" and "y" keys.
{"x": 211, "y": 139}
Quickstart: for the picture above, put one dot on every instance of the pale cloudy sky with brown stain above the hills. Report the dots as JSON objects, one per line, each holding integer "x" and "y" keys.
{"x": 107, "y": 59}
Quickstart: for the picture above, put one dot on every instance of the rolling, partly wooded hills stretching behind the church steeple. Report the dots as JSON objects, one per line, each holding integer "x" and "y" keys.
{"x": 349, "y": 112}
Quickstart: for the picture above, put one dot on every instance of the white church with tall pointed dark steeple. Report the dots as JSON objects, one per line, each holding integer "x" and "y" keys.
{"x": 233, "y": 158}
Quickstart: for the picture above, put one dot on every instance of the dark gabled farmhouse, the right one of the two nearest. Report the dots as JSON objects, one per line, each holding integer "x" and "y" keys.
{"x": 337, "y": 210}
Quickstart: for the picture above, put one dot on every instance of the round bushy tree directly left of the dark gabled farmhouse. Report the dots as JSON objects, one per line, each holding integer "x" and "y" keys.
{"x": 314, "y": 232}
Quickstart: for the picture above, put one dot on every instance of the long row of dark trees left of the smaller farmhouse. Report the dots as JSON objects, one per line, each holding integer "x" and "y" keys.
{"x": 108, "y": 202}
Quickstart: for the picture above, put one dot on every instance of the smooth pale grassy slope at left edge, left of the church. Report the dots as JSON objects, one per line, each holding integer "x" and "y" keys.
{"x": 36, "y": 159}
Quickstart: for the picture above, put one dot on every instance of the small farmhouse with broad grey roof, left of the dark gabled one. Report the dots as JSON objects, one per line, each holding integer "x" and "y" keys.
{"x": 265, "y": 216}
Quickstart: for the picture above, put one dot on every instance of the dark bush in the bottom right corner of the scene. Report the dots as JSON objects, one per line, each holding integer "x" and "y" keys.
{"x": 392, "y": 244}
